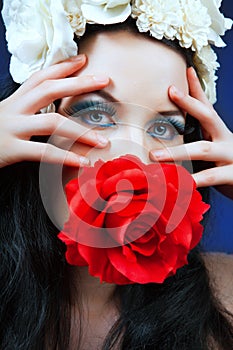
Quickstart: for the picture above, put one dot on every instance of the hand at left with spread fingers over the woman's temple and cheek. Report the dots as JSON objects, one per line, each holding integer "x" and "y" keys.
{"x": 20, "y": 118}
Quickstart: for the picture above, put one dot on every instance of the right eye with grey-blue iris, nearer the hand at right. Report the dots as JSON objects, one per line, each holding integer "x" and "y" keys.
{"x": 166, "y": 129}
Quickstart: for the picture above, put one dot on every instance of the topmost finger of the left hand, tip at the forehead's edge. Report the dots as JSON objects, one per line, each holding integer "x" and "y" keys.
{"x": 56, "y": 71}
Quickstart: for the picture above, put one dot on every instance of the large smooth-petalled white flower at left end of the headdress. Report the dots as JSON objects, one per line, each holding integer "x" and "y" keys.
{"x": 38, "y": 35}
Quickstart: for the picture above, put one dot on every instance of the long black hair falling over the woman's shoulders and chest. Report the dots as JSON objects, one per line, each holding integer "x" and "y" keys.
{"x": 35, "y": 292}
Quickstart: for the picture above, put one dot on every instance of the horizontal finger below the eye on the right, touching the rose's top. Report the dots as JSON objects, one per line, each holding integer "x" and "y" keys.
{"x": 200, "y": 150}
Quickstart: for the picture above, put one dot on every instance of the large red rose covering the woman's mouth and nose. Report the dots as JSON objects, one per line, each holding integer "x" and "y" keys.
{"x": 131, "y": 222}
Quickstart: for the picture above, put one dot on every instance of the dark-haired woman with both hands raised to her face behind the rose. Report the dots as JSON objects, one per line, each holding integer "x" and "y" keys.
{"x": 47, "y": 304}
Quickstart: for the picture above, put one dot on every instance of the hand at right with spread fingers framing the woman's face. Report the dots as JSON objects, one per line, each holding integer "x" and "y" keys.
{"x": 217, "y": 146}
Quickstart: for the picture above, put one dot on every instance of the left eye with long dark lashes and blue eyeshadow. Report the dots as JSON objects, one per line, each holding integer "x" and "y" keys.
{"x": 93, "y": 113}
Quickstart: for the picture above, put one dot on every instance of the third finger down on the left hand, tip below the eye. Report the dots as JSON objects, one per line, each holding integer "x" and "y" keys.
{"x": 56, "y": 124}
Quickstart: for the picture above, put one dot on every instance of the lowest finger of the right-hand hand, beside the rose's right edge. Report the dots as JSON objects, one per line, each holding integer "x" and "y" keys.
{"x": 214, "y": 176}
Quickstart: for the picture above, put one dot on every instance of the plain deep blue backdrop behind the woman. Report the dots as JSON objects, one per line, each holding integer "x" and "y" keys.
{"x": 220, "y": 224}
